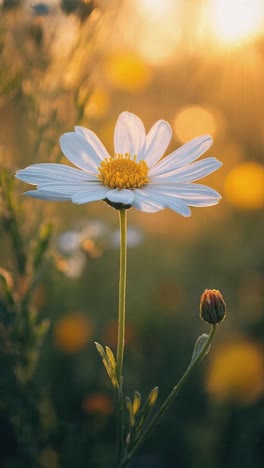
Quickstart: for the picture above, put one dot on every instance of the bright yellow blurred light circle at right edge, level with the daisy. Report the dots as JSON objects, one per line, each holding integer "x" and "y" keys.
{"x": 244, "y": 186}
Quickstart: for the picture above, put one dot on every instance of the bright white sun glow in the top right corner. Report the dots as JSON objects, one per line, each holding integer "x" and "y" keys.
{"x": 236, "y": 21}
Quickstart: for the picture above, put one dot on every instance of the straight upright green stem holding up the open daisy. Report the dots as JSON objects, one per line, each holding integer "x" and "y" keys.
{"x": 121, "y": 330}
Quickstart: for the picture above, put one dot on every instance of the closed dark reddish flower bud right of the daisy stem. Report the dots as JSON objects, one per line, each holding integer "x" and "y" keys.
{"x": 212, "y": 306}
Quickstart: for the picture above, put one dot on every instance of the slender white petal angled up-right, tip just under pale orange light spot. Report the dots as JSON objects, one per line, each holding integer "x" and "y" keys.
{"x": 183, "y": 155}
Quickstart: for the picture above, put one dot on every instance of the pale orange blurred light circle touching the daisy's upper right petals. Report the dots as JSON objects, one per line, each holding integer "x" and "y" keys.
{"x": 193, "y": 121}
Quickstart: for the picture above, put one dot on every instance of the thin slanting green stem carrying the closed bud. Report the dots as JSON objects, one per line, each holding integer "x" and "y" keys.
{"x": 175, "y": 391}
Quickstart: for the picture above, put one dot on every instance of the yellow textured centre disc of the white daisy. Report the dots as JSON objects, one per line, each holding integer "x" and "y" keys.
{"x": 121, "y": 172}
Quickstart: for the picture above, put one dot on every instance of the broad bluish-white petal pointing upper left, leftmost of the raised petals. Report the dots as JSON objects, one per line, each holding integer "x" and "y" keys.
{"x": 80, "y": 152}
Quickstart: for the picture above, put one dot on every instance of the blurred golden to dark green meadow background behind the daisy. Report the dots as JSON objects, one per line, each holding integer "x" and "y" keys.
{"x": 199, "y": 64}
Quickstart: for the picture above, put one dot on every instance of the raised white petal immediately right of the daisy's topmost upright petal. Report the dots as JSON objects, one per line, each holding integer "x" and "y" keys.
{"x": 157, "y": 141}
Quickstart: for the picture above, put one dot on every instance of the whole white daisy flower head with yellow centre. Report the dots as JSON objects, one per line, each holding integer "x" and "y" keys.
{"x": 136, "y": 175}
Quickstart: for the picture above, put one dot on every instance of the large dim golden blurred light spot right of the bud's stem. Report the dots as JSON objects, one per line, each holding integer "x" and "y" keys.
{"x": 236, "y": 372}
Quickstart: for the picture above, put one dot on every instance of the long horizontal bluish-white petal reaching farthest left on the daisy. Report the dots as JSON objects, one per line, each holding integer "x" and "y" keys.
{"x": 48, "y": 172}
